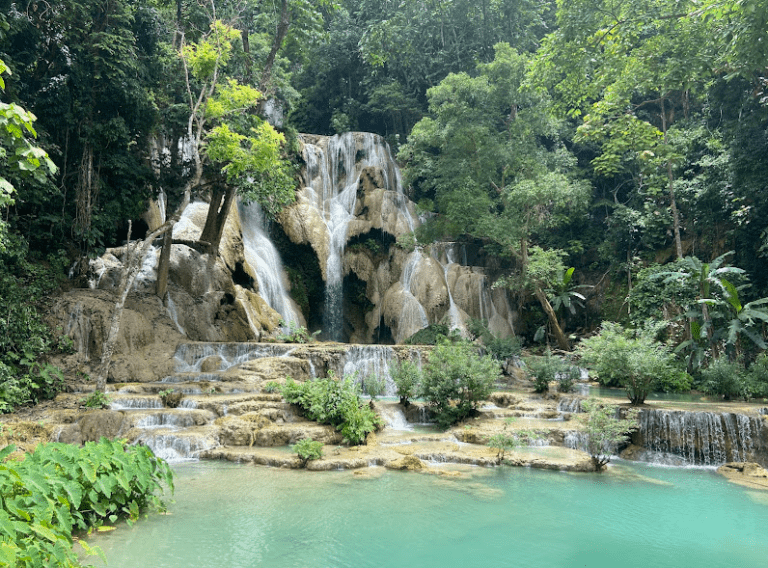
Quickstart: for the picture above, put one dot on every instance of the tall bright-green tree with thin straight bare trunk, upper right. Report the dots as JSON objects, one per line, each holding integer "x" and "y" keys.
{"x": 631, "y": 70}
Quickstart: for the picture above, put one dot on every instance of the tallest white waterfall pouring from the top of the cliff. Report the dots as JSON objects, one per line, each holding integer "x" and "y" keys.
{"x": 334, "y": 175}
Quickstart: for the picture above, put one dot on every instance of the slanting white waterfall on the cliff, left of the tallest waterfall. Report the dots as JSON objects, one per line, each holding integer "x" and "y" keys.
{"x": 262, "y": 255}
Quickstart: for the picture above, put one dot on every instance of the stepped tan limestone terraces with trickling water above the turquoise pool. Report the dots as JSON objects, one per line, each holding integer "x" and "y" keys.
{"x": 225, "y": 412}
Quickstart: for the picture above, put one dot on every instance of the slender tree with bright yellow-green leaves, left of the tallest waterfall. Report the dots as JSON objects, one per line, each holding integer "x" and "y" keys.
{"x": 222, "y": 128}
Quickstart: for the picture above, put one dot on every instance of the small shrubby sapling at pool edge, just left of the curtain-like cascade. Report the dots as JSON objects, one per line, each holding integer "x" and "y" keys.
{"x": 605, "y": 432}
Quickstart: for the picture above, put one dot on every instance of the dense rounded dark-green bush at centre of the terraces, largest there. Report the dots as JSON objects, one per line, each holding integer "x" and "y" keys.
{"x": 455, "y": 380}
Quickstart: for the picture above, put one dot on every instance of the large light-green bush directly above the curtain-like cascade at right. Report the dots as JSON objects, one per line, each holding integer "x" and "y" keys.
{"x": 633, "y": 360}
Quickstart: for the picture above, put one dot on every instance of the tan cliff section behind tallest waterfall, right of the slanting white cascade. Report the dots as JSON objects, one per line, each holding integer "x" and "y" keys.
{"x": 355, "y": 216}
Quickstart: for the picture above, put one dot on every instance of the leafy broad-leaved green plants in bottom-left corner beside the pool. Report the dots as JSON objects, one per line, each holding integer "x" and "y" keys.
{"x": 60, "y": 489}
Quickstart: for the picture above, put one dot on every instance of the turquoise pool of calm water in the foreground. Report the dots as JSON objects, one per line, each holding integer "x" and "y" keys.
{"x": 245, "y": 516}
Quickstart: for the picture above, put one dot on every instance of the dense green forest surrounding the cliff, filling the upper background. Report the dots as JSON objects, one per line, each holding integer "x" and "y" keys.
{"x": 608, "y": 155}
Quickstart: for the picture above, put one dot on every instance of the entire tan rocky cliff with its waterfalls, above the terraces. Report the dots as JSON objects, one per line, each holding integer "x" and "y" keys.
{"x": 352, "y": 219}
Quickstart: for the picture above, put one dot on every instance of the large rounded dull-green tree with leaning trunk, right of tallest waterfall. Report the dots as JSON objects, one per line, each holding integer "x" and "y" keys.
{"x": 492, "y": 158}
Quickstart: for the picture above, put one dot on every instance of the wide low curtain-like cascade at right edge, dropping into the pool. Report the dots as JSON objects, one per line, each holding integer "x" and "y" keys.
{"x": 699, "y": 438}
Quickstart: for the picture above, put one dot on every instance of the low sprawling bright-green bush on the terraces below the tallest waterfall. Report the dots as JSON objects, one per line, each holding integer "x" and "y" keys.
{"x": 334, "y": 402}
